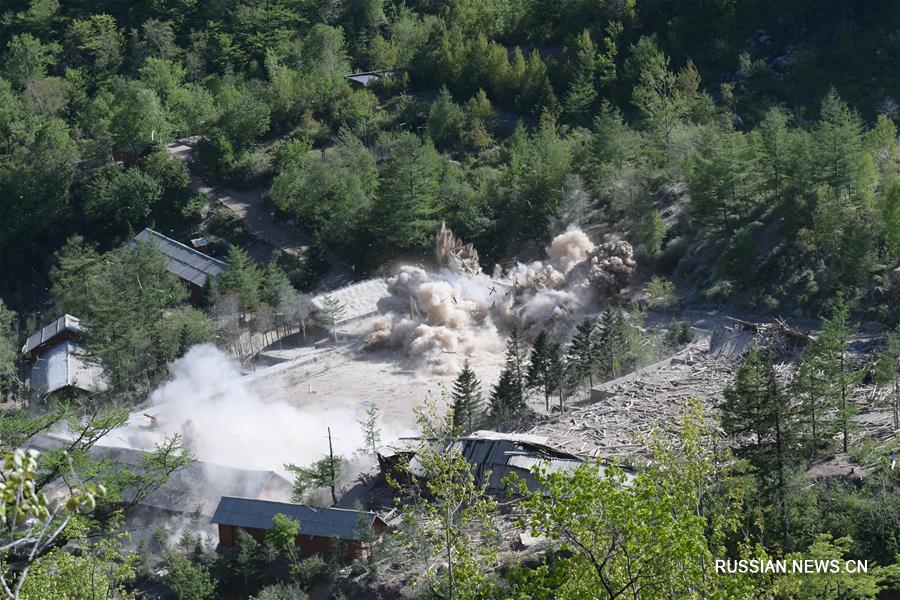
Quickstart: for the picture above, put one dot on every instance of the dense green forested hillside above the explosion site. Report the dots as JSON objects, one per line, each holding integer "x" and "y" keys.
{"x": 713, "y": 135}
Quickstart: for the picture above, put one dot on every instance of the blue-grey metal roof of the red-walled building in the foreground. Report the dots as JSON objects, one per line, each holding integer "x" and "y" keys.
{"x": 321, "y": 522}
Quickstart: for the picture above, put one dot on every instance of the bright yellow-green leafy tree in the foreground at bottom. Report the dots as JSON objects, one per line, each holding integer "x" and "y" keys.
{"x": 650, "y": 535}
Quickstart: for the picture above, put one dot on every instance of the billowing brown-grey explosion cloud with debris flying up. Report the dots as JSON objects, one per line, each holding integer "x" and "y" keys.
{"x": 438, "y": 319}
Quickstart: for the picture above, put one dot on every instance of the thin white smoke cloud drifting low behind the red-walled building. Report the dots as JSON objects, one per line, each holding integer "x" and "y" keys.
{"x": 222, "y": 420}
